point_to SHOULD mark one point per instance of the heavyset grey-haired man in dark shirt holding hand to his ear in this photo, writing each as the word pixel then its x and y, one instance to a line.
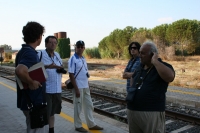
pixel 146 110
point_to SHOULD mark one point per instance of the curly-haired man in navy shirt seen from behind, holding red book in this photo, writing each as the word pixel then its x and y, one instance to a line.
pixel 27 57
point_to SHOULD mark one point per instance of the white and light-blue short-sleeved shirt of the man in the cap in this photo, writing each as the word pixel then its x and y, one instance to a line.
pixel 74 65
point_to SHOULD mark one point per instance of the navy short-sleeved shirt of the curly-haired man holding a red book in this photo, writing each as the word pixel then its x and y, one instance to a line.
pixel 27 56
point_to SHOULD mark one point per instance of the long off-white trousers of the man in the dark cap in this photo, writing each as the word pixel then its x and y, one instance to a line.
pixel 85 101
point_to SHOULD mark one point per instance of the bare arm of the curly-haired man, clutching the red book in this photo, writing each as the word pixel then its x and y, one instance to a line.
pixel 22 72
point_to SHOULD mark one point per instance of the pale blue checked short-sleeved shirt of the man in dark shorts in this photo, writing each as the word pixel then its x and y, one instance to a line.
pixel 53 82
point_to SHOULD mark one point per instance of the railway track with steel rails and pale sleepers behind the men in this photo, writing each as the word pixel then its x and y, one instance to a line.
pixel 112 104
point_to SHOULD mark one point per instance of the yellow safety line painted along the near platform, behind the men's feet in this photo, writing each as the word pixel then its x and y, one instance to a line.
pixel 63 115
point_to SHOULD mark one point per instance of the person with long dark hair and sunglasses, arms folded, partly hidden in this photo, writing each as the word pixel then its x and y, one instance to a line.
pixel 133 50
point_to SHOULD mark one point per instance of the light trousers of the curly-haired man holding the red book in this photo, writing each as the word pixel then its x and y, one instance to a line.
pixel 44 129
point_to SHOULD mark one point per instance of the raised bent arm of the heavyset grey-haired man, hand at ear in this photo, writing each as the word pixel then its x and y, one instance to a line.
pixel 166 73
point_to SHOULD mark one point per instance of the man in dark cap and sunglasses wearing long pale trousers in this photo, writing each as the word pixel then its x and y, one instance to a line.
pixel 78 73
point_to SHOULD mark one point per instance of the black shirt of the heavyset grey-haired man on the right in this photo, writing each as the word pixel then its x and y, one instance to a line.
pixel 151 96
